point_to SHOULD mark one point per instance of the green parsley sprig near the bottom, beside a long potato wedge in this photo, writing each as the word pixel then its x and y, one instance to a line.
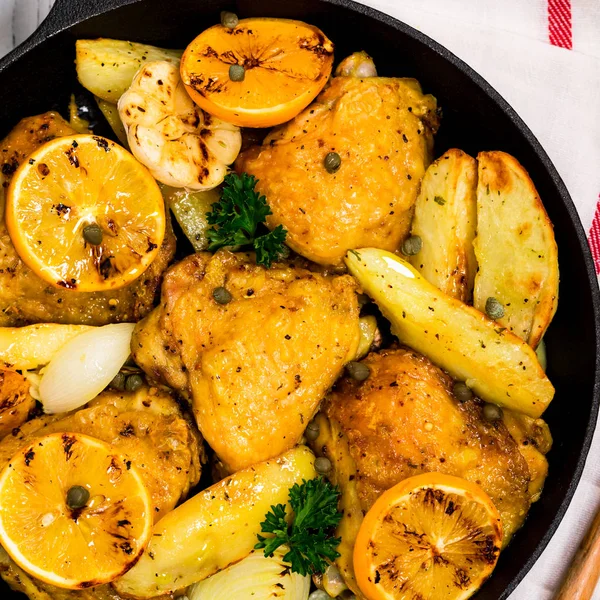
pixel 308 536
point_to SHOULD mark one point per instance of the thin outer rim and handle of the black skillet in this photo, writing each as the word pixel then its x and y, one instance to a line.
pixel 67 13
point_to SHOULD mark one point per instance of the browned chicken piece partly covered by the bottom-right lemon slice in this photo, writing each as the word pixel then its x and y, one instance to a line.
pixel 404 420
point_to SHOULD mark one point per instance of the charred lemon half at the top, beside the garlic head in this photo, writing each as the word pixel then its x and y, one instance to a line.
pixel 261 73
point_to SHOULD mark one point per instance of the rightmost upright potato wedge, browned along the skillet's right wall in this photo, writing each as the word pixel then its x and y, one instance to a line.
pixel 515 248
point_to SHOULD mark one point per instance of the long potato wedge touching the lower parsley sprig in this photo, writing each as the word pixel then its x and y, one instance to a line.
pixel 215 528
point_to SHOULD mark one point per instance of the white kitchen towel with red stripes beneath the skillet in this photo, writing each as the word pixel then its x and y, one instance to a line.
pixel 543 56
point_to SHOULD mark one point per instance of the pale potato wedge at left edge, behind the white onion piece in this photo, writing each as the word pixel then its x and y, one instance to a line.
pixel 33 346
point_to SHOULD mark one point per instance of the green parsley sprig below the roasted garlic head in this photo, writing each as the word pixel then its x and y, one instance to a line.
pixel 238 220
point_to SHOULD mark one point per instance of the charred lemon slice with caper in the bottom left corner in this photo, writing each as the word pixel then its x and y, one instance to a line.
pixel 72 512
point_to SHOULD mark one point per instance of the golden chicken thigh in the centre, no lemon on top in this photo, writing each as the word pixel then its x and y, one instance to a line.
pixel 257 367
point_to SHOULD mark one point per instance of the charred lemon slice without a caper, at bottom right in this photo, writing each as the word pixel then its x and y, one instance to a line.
pixel 431 536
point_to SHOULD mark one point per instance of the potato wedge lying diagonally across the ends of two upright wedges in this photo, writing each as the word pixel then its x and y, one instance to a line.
pixel 495 363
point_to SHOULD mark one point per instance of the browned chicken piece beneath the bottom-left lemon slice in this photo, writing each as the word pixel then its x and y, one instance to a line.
pixel 147 427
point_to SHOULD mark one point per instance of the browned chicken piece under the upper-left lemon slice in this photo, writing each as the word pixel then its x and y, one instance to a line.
pixel 24 297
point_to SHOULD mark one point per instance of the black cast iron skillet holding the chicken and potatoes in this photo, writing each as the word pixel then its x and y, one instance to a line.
pixel 40 75
